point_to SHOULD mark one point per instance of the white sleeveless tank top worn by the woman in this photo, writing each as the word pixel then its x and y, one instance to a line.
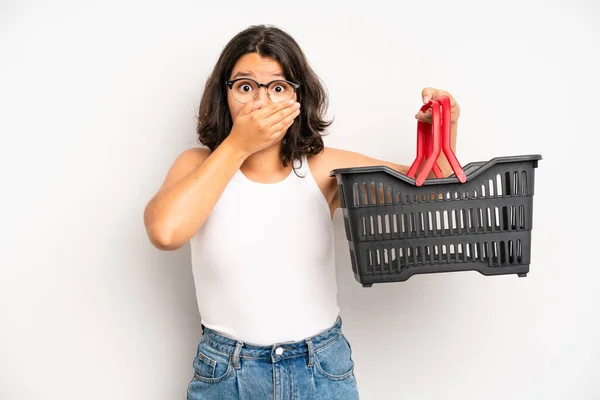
pixel 263 262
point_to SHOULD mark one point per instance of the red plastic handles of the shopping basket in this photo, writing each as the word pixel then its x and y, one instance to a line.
pixel 434 138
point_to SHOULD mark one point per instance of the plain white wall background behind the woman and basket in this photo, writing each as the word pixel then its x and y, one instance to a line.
pixel 98 99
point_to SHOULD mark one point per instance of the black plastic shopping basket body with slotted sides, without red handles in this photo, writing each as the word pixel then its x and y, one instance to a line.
pixel 396 229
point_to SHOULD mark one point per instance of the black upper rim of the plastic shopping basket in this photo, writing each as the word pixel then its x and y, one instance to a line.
pixel 482 167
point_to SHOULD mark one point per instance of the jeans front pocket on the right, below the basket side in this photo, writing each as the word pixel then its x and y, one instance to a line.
pixel 334 360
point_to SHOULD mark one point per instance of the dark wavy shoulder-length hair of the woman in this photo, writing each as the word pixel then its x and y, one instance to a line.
pixel 304 136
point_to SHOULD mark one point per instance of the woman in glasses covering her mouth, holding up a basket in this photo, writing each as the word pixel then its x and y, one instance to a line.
pixel 256 203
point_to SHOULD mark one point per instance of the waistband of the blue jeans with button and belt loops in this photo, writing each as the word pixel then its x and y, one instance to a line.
pixel 277 351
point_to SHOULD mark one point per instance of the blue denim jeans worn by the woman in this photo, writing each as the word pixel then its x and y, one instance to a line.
pixel 320 367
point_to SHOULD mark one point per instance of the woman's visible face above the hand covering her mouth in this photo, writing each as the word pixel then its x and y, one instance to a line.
pixel 262 70
